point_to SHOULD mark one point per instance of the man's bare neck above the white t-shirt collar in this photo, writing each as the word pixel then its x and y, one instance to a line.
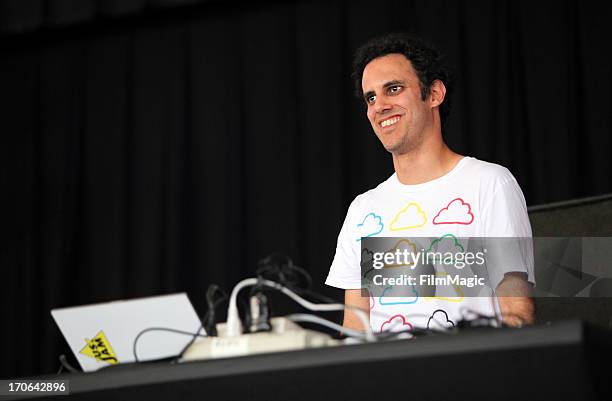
pixel 428 162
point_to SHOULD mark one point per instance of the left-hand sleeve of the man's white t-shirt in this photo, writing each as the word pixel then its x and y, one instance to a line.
pixel 345 270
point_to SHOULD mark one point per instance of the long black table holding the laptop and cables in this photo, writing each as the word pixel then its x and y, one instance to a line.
pixel 560 361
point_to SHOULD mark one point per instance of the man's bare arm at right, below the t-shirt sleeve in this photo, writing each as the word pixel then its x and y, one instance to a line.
pixel 514 294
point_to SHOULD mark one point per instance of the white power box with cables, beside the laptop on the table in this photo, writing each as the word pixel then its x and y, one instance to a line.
pixel 285 336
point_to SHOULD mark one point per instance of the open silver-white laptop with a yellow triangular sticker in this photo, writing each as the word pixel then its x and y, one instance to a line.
pixel 104 334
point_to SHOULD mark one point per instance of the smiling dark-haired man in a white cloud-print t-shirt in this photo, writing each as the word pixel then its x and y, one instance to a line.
pixel 406 89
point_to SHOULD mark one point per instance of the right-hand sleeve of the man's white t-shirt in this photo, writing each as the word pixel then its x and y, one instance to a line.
pixel 507 231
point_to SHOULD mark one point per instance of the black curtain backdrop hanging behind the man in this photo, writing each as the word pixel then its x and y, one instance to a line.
pixel 158 150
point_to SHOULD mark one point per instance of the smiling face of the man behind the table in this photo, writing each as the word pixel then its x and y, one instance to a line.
pixel 393 95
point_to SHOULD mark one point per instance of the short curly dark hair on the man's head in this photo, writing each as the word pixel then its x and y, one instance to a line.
pixel 427 62
